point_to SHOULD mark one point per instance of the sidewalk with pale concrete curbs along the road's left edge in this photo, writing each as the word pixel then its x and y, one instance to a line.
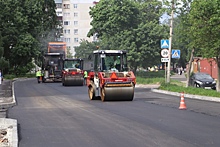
pixel 8 127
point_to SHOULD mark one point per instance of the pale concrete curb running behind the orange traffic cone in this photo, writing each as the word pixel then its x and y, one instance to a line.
pixel 191 96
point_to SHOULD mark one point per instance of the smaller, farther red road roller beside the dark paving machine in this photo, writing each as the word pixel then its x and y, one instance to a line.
pixel 72 74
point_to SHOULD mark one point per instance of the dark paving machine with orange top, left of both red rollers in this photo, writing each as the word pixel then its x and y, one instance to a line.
pixel 53 61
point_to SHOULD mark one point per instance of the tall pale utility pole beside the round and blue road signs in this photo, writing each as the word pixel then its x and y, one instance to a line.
pixel 170 43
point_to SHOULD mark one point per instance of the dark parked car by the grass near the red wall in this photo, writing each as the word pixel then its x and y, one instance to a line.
pixel 202 80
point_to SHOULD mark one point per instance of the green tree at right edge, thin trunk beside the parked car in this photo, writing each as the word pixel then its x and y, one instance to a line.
pixel 204 30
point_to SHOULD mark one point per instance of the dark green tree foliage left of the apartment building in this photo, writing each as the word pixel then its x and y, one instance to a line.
pixel 24 23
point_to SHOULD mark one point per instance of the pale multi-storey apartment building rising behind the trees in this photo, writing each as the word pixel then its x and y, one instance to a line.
pixel 75 18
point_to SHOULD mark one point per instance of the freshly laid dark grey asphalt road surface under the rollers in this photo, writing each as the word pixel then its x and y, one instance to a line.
pixel 50 115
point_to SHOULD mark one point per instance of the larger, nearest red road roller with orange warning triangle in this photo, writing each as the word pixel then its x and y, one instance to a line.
pixel 111 80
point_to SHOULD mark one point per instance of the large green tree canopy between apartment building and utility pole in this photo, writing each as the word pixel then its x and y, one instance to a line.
pixel 130 25
